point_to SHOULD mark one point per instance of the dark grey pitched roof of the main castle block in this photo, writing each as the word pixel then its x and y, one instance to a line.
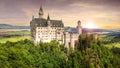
pixel 41 22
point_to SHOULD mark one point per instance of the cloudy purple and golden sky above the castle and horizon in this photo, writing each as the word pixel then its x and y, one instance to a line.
pixel 103 14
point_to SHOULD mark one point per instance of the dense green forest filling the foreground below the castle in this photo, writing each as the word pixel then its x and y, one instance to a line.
pixel 89 53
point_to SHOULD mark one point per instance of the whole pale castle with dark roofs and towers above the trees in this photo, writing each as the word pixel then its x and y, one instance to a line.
pixel 46 30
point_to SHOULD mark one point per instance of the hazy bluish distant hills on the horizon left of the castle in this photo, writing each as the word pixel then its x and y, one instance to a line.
pixel 7 26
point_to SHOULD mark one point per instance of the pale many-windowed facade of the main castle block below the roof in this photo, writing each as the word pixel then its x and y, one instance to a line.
pixel 47 34
